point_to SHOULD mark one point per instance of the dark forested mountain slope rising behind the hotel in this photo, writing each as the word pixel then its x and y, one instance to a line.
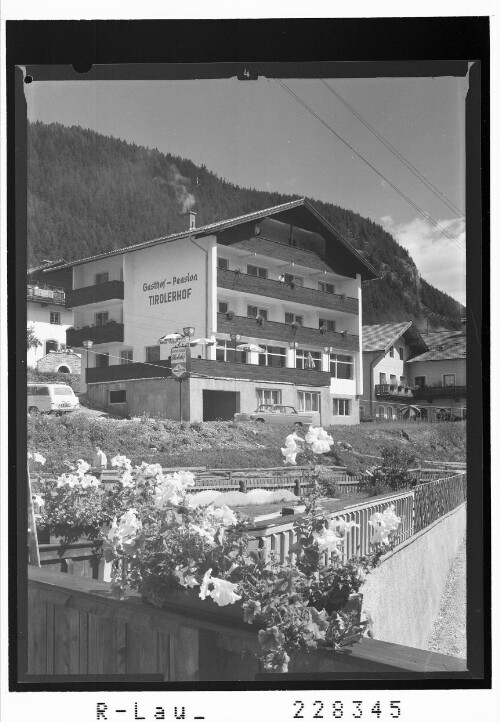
pixel 88 193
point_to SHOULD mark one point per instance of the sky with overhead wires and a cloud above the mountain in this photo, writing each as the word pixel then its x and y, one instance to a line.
pixel 256 135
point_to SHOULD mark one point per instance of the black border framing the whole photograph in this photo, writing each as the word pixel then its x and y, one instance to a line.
pixel 368 47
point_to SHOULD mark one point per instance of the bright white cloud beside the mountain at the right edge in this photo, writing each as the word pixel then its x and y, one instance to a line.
pixel 439 260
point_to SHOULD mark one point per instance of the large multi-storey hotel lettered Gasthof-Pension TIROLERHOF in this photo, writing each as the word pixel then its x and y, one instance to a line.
pixel 282 279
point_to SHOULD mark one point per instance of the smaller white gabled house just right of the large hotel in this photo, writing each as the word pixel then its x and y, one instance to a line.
pixel 387 390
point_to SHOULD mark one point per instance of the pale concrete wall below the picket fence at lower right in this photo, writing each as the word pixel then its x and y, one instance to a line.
pixel 403 595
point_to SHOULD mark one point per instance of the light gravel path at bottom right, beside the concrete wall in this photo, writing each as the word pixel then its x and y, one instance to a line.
pixel 449 633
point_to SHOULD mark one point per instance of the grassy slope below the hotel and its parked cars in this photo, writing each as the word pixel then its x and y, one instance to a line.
pixel 225 444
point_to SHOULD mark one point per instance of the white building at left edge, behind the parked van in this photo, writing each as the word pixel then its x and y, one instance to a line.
pixel 49 318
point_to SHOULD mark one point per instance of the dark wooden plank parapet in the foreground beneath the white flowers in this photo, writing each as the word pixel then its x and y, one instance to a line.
pixel 76 627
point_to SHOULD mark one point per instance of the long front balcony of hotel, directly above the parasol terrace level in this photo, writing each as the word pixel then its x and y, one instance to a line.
pixel 285 332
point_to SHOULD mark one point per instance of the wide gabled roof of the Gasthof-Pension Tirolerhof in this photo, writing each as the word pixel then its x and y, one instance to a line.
pixel 299 211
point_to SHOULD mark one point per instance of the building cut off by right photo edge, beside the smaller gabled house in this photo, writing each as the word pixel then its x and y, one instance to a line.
pixel 439 376
